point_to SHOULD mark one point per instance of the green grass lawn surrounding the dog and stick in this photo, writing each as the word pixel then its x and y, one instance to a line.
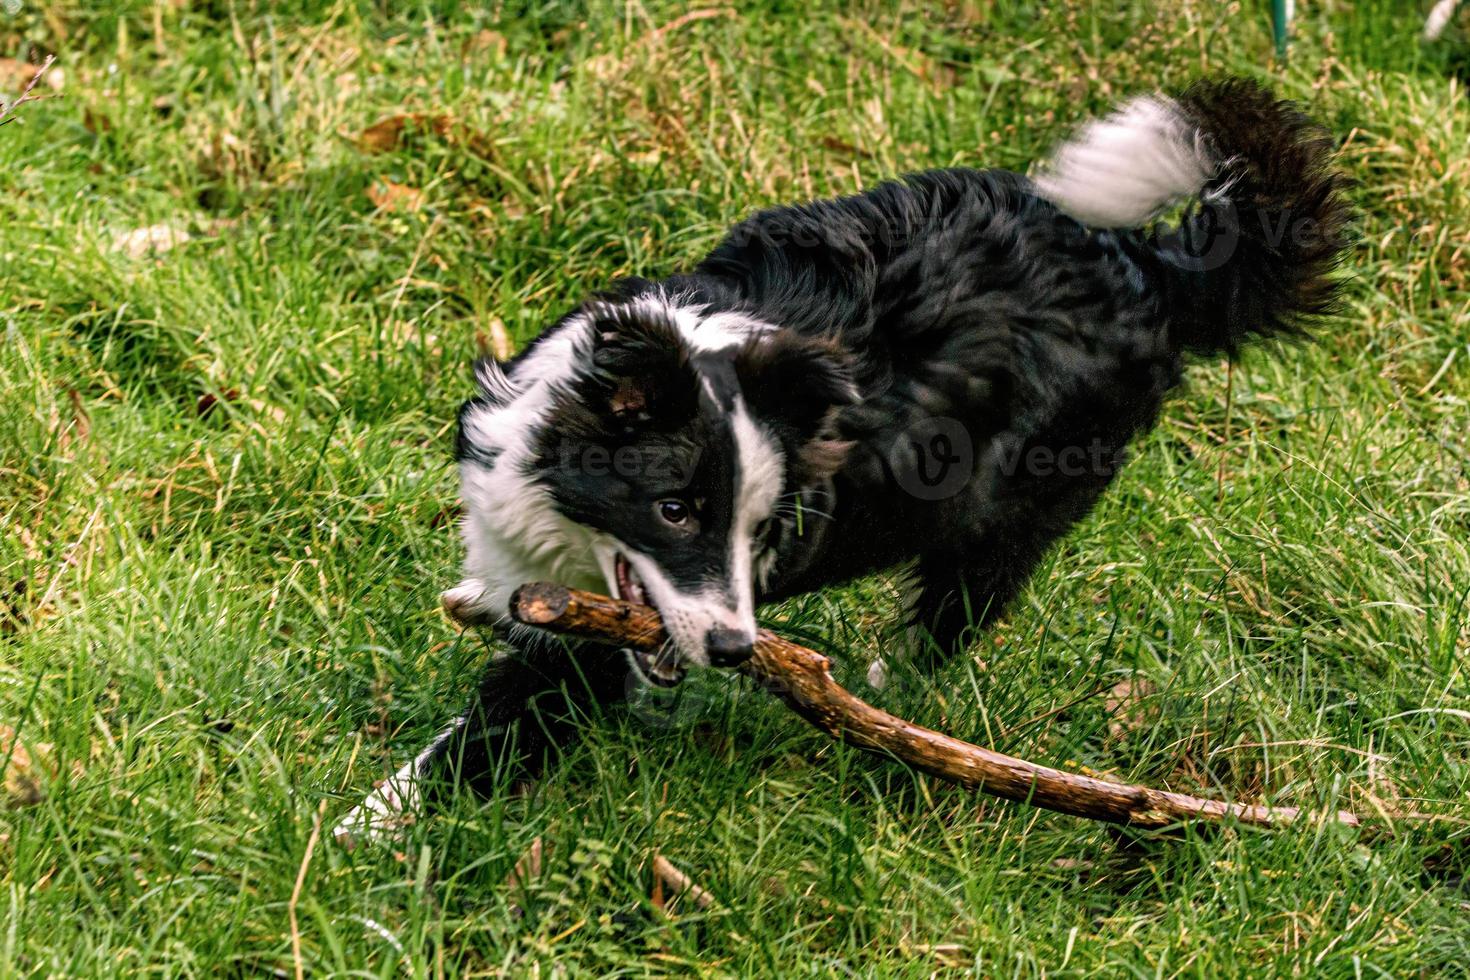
pixel 218 624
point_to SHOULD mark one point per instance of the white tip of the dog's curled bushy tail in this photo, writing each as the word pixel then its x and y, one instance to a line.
pixel 1124 170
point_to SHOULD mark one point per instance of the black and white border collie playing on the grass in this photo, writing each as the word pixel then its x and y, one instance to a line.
pixel 937 377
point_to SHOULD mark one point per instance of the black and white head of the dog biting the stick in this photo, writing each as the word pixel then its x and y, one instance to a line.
pixel 683 442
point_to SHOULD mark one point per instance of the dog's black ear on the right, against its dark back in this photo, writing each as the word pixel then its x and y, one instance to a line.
pixel 796 380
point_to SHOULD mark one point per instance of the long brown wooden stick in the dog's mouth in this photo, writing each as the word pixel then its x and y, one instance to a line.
pixel 803 680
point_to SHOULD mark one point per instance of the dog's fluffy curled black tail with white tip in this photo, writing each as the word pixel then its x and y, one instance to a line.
pixel 1255 255
